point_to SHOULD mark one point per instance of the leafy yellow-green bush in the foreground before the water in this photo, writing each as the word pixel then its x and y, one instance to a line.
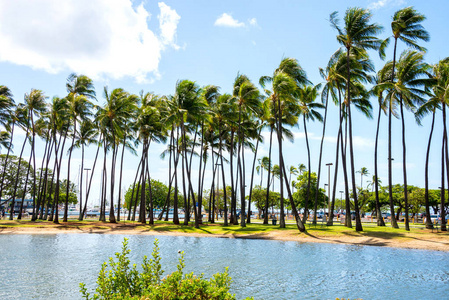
pixel 123 281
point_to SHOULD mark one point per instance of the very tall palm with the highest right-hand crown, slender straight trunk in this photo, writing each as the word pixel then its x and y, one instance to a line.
pixel 406 26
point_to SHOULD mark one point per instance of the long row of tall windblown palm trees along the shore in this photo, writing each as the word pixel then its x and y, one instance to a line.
pixel 216 128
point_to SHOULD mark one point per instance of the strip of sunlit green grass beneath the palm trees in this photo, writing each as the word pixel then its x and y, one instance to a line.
pixel 255 229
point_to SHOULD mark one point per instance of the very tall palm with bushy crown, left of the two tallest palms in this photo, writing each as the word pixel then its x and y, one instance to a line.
pixel 357 35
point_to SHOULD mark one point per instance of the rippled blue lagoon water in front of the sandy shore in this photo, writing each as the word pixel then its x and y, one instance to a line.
pixel 52 266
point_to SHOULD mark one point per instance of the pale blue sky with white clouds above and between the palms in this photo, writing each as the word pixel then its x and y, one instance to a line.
pixel 149 45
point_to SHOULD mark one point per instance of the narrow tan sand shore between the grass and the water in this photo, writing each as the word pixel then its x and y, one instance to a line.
pixel 413 240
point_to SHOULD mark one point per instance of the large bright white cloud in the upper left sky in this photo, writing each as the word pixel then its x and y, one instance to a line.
pixel 103 38
